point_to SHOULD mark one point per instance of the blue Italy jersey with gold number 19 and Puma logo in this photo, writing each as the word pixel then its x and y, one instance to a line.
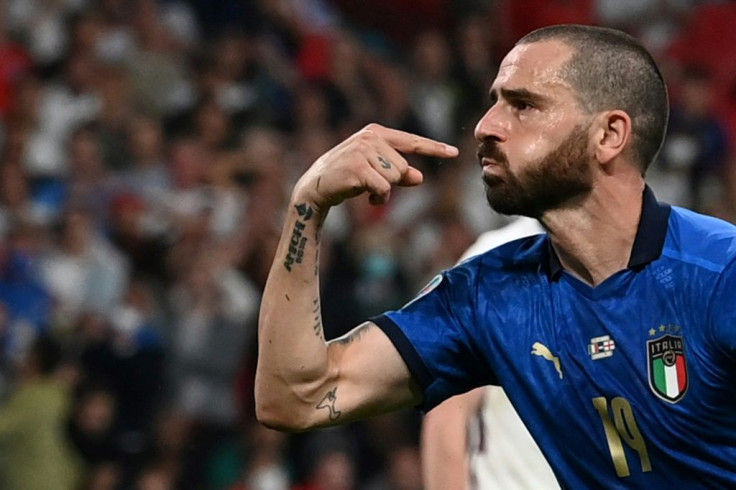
pixel 629 384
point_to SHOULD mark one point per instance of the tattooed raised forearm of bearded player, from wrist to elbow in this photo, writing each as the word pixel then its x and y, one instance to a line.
pixel 292 361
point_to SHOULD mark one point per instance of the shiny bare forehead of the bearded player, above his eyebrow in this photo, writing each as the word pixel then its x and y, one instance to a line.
pixel 535 67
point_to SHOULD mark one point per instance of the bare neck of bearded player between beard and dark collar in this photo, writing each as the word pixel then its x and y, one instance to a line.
pixel 594 240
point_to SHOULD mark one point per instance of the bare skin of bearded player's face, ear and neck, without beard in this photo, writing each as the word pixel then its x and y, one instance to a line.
pixel 527 129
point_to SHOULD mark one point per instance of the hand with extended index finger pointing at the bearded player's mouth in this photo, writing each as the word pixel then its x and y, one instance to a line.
pixel 368 161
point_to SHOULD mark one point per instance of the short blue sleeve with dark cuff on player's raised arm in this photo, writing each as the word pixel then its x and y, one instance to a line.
pixel 434 334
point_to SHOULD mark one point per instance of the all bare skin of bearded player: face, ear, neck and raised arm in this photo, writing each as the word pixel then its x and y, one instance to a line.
pixel 304 382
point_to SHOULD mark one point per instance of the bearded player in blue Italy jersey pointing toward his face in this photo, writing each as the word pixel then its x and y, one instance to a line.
pixel 613 334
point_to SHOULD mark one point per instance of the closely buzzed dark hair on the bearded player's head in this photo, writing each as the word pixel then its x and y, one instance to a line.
pixel 611 70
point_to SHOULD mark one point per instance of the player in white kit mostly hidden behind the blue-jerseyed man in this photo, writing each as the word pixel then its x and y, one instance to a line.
pixel 476 439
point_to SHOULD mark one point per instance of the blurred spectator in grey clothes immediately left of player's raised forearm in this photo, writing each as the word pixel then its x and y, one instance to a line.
pixel 211 303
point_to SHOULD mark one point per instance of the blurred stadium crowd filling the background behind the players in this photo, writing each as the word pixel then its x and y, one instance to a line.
pixel 147 151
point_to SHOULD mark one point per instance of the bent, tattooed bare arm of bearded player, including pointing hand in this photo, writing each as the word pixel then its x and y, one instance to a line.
pixel 301 381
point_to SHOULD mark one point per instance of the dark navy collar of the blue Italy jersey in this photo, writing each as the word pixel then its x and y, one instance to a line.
pixel 649 240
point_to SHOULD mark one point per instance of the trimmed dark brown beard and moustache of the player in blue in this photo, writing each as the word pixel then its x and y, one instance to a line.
pixel 553 182
